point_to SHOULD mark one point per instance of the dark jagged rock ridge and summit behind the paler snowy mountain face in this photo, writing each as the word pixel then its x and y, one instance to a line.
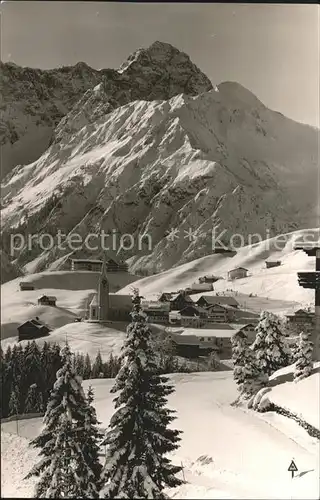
pixel 34 101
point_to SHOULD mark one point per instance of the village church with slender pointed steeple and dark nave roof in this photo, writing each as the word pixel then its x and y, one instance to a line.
pixel 105 306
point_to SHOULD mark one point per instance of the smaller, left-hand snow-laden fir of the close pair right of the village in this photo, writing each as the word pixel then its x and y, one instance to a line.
pixel 246 372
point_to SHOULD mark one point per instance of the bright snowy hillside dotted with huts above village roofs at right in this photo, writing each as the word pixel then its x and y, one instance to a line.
pixel 279 283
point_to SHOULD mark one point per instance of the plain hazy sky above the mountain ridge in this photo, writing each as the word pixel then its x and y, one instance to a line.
pixel 273 50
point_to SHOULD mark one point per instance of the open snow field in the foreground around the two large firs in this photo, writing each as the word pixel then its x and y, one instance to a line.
pixel 226 452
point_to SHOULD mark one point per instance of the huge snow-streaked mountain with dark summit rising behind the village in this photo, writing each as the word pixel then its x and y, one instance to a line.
pixel 154 147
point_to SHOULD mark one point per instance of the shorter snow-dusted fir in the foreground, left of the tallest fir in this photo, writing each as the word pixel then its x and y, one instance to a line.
pixel 64 470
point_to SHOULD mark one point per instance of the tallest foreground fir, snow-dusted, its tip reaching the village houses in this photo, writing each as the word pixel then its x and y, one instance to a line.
pixel 138 438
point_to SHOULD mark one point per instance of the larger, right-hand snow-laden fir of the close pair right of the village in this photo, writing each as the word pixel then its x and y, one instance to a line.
pixel 270 346
